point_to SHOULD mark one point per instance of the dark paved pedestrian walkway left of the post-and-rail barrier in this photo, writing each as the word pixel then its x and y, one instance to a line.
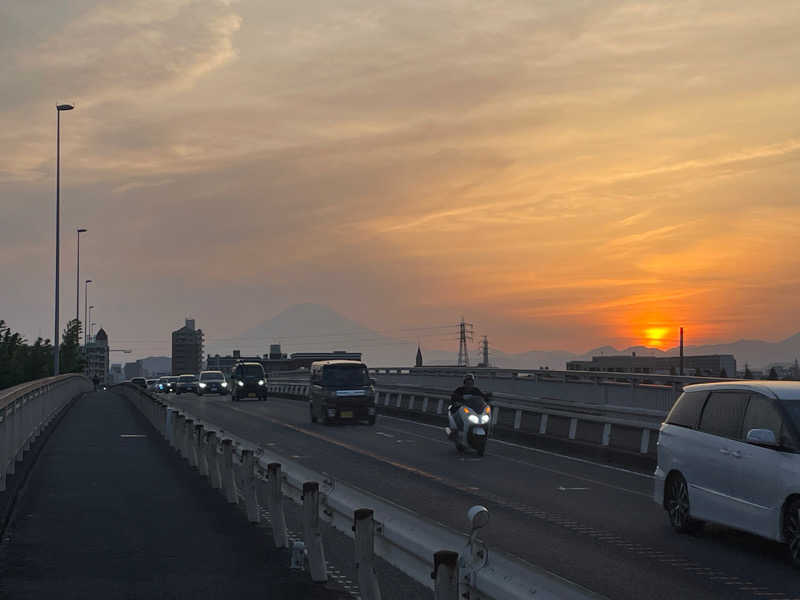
pixel 109 511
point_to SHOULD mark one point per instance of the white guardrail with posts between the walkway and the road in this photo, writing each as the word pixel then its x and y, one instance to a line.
pixel 261 480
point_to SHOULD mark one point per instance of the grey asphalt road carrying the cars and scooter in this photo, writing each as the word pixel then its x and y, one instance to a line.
pixel 593 524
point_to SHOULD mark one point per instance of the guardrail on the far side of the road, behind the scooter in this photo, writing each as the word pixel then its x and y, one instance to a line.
pixel 615 427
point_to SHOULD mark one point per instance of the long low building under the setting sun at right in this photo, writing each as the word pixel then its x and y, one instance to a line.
pixel 708 365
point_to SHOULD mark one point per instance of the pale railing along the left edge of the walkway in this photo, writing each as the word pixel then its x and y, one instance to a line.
pixel 25 412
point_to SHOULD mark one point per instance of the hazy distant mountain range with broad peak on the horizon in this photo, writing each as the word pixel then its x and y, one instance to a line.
pixel 313 327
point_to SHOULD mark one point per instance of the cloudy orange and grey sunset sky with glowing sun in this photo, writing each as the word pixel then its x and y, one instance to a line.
pixel 563 174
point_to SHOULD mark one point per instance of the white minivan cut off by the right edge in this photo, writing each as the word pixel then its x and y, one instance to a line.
pixel 729 453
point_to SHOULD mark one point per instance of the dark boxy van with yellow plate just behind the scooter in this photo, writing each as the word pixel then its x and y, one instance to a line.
pixel 341 390
